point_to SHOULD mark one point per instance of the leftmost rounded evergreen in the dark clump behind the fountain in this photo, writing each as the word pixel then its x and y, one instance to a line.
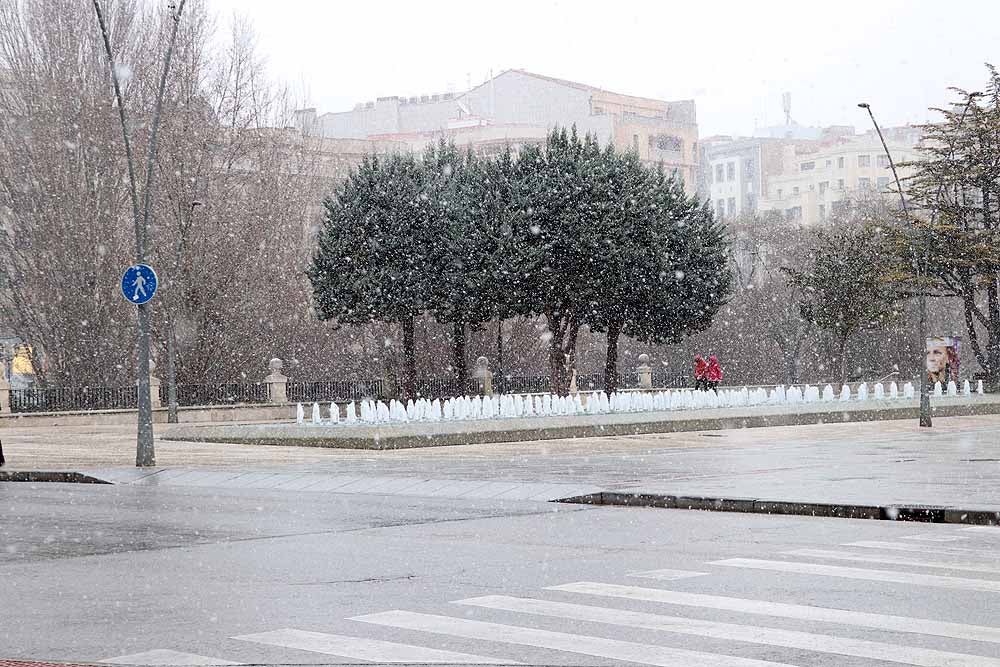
pixel 373 260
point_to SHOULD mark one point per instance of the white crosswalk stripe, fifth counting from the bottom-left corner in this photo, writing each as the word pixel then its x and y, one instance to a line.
pixel 785 610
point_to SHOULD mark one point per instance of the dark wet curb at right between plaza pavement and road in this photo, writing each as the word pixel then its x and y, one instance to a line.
pixel 920 513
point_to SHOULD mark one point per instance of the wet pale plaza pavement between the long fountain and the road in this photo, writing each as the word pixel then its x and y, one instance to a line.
pixel 955 464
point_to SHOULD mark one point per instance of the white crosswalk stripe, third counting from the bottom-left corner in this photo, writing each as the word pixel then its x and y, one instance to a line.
pixel 612 649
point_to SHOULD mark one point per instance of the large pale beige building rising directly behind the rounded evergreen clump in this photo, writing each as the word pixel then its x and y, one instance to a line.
pixel 518 108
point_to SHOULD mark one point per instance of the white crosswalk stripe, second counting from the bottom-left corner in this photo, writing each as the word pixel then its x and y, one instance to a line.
pixel 366 649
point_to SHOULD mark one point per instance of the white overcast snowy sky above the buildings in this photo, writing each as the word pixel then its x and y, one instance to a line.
pixel 734 58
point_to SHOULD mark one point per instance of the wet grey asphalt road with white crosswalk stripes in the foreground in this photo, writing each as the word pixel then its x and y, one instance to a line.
pixel 89 573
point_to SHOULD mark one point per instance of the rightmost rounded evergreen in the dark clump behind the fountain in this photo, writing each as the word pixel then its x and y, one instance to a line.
pixel 664 273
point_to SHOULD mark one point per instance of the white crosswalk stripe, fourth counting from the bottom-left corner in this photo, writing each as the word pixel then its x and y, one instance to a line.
pixel 805 641
